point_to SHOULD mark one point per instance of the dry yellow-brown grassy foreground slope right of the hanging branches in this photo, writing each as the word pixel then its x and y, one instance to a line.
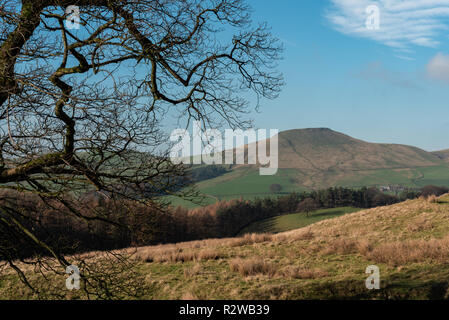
pixel 409 242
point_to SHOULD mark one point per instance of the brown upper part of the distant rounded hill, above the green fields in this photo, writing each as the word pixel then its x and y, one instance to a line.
pixel 324 149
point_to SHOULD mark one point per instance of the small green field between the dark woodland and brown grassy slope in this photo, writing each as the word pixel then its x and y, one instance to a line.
pixel 295 221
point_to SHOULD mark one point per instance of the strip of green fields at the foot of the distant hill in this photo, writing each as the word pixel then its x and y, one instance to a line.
pixel 245 182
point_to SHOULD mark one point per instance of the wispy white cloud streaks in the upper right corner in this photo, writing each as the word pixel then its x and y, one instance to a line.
pixel 402 23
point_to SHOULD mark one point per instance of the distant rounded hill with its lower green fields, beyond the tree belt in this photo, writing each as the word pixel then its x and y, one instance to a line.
pixel 320 158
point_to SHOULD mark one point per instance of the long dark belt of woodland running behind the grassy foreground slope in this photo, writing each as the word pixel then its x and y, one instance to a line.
pixel 138 225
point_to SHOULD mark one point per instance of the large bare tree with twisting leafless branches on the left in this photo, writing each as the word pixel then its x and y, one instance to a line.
pixel 83 109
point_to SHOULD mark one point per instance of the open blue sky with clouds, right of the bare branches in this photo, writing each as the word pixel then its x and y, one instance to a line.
pixel 388 85
